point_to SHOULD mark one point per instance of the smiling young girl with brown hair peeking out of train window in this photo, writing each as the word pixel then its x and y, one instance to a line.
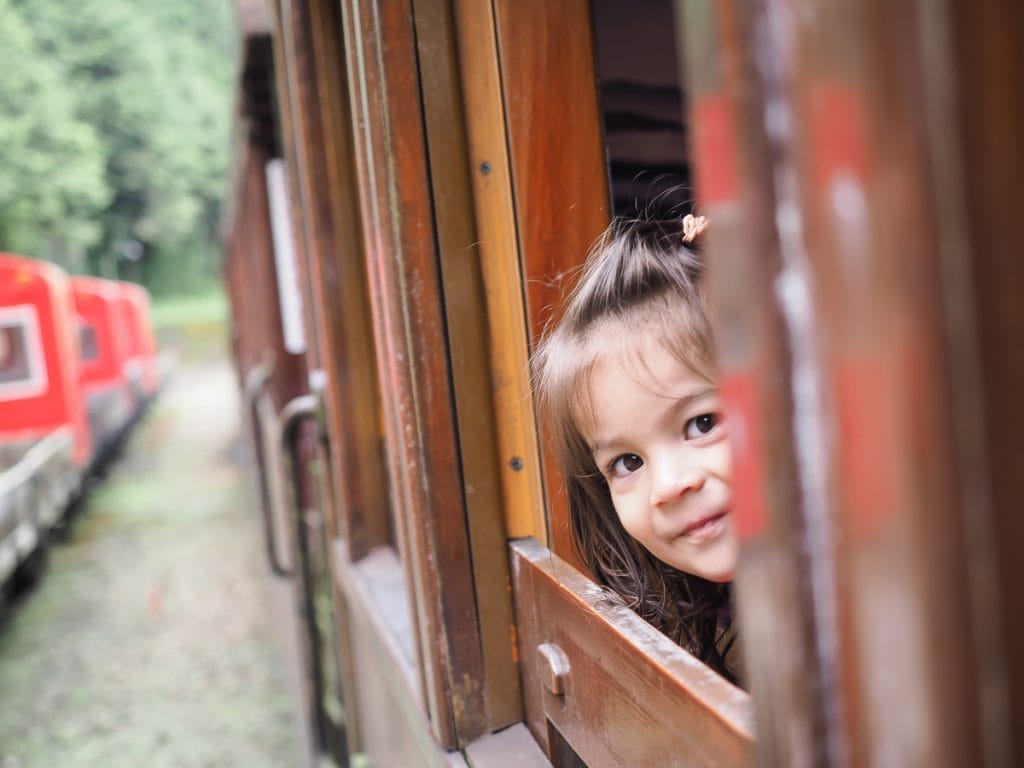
pixel 628 387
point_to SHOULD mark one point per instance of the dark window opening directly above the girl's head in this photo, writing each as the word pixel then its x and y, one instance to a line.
pixel 643 109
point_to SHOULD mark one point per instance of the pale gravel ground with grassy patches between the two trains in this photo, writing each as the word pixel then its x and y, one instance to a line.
pixel 156 637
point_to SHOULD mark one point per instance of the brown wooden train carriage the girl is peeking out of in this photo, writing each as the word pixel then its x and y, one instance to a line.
pixel 418 184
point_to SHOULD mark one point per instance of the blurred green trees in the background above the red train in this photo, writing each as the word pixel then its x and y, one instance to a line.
pixel 141 92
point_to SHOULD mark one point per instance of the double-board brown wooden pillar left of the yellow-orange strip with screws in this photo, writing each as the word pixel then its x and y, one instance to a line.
pixel 451 533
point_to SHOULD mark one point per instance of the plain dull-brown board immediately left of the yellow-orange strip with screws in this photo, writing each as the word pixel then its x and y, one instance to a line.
pixel 489 673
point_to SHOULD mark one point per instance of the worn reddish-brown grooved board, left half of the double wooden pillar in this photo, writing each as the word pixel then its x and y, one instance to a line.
pixel 410 322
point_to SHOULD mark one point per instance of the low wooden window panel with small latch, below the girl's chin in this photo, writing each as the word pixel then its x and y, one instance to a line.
pixel 631 696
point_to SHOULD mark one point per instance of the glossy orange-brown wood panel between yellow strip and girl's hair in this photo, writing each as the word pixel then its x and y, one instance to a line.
pixel 560 178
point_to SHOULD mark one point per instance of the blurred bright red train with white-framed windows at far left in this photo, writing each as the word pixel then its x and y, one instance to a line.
pixel 69 348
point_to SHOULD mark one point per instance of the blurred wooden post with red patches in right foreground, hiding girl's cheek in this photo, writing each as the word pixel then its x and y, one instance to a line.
pixel 864 328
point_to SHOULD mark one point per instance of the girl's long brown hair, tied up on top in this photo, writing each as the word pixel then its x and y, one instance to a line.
pixel 639 273
